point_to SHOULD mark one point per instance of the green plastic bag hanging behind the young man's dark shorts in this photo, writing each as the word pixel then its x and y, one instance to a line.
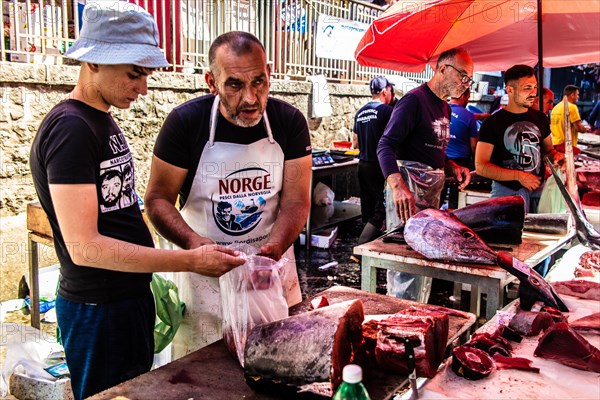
pixel 169 311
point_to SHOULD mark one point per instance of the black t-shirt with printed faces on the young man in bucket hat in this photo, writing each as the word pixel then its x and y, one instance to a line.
pixel 78 144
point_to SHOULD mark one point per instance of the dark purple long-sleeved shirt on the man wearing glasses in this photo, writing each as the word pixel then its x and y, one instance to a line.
pixel 419 130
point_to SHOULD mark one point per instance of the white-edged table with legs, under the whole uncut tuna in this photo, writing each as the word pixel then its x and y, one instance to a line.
pixel 490 279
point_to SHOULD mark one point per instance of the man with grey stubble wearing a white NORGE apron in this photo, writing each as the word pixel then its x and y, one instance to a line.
pixel 241 165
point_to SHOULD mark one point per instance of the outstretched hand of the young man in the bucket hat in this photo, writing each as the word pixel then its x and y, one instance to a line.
pixel 214 260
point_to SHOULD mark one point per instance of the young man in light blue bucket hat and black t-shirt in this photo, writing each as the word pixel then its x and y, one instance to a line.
pixel 104 305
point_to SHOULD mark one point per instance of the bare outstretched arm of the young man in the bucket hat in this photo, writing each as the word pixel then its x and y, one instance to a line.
pixel 88 248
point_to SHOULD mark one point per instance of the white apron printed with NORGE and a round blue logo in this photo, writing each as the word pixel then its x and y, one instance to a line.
pixel 234 198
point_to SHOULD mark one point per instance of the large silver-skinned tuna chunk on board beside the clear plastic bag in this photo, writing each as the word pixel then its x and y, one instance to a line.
pixel 307 350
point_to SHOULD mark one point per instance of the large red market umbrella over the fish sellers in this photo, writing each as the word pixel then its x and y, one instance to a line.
pixel 498 34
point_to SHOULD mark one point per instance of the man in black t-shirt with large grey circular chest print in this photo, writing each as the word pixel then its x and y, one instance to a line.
pixel 514 140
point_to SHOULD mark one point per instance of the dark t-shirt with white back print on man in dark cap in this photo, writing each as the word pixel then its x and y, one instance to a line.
pixel 369 123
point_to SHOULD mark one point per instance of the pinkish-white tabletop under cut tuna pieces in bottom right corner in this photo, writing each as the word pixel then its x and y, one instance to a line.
pixel 553 381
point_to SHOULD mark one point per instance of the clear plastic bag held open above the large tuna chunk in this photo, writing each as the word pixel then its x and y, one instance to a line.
pixel 251 294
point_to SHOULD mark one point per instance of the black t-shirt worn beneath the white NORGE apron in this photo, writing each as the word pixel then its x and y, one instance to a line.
pixel 186 131
